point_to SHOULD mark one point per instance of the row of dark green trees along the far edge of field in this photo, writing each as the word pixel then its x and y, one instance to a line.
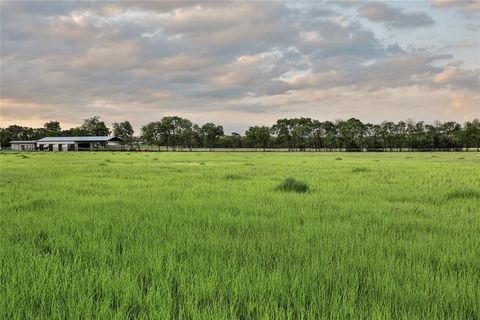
pixel 175 132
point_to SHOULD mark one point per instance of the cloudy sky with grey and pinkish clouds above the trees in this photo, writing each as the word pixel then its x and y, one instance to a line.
pixel 238 64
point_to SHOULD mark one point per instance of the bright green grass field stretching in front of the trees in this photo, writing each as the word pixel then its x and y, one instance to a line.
pixel 211 236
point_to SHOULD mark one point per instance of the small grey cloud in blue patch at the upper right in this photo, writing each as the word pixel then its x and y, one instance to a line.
pixel 393 16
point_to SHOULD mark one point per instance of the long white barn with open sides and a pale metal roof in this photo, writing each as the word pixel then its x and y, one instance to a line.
pixel 76 143
